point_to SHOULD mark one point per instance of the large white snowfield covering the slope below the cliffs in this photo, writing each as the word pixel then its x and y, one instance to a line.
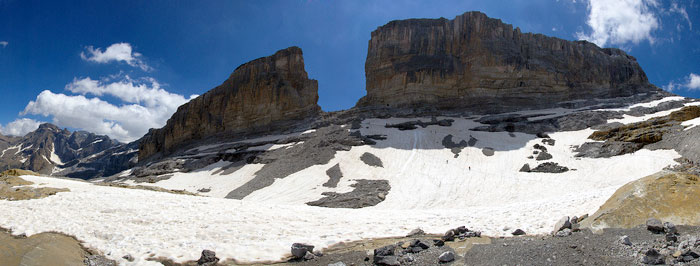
pixel 430 189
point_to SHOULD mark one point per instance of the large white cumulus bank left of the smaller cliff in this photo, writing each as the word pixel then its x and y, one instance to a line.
pixel 146 105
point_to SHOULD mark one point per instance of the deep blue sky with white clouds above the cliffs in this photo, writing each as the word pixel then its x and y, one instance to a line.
pixel 121 67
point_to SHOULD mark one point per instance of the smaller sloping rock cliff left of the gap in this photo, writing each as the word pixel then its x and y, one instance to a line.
pixel 266 94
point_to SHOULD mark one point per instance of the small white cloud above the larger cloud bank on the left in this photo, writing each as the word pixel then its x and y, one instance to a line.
pixel 115 52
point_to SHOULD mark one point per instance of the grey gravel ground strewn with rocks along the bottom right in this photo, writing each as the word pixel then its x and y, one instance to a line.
pixel 580 248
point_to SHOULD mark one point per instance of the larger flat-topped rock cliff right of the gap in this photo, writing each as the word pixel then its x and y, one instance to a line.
pixel 482 64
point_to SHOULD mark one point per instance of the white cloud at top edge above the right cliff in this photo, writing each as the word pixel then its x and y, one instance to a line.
pixel 620 21
